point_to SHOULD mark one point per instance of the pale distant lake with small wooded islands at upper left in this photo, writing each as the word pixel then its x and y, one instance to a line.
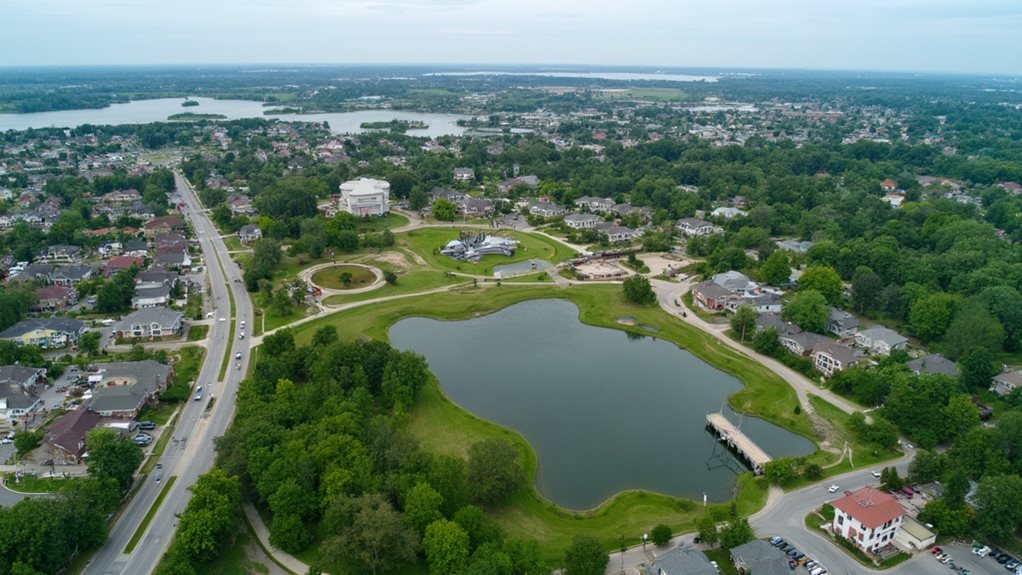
pixel 145 112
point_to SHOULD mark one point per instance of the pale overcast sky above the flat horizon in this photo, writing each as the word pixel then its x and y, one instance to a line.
pixel 970 36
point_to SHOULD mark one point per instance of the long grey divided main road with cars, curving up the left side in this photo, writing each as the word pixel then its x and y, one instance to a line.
pixel 191 454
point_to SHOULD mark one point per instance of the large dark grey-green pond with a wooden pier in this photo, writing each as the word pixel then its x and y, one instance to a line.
pixel 605 411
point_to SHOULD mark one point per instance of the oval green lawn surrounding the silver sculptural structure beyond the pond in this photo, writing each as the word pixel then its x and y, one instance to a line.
pixel 427 243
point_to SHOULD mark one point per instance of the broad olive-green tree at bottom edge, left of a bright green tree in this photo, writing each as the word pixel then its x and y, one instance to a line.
pixel 371 534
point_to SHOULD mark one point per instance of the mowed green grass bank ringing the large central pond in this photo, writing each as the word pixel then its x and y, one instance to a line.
pixel 443 427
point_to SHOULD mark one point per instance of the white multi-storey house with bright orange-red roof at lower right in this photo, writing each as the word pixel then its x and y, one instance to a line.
pixel 868 518
